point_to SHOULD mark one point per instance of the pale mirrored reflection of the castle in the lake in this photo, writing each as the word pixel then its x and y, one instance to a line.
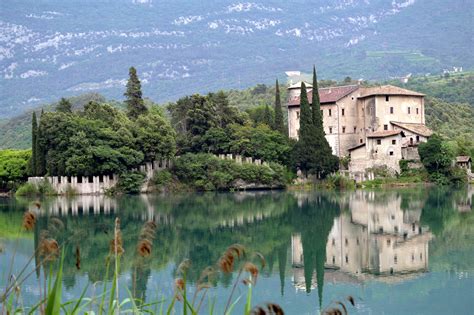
pixel 374 240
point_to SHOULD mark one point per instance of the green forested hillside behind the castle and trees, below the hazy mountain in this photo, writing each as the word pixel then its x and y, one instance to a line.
pixel 449 106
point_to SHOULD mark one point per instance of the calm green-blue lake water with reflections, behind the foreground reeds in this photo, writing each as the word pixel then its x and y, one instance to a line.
pixel 397 251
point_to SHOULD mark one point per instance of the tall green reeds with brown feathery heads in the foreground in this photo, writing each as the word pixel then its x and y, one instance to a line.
pixel 234 259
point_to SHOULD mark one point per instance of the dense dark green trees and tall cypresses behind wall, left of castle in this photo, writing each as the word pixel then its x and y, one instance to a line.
pixel 101 139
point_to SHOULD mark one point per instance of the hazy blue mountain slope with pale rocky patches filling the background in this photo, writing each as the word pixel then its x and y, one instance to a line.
pixel 50 49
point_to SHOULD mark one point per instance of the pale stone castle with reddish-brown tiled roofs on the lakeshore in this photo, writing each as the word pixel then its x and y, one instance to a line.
pixel 376 126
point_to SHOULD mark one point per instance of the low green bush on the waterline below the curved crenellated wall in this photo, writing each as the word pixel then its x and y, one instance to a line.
pixel 208 172
